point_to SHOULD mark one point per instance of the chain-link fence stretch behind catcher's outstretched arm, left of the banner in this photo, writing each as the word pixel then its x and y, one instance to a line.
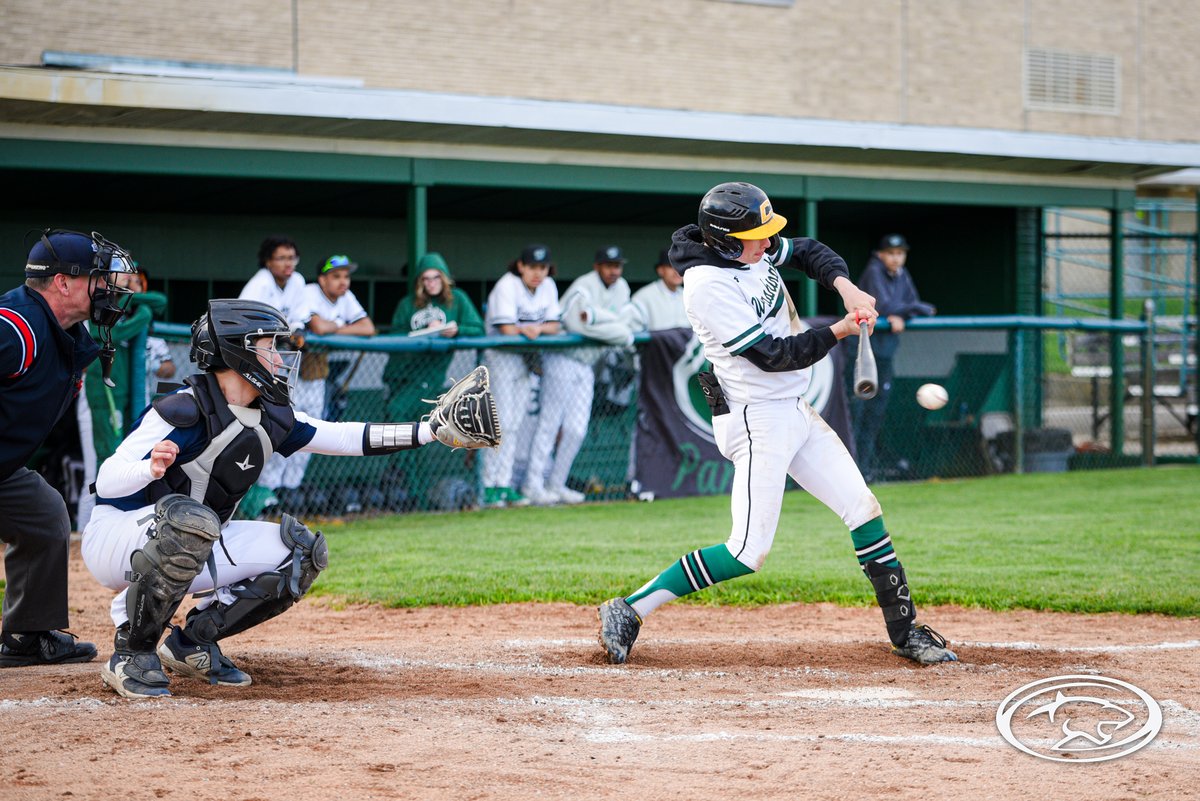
pixel 557 399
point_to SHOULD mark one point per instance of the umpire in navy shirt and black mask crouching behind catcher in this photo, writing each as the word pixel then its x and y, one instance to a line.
pixel 45 348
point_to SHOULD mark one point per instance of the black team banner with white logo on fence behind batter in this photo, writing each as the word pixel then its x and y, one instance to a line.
pixel 676 451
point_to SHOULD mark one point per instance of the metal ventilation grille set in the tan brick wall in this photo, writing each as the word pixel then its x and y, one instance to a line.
pixel 1057 81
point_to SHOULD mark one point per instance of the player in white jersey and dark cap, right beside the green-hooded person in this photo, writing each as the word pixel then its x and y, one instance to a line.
pixel 524 302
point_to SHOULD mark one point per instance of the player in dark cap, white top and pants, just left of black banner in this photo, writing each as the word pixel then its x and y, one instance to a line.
pixel 596 306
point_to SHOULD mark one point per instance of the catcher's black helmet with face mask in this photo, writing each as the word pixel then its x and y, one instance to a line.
pixel 229 338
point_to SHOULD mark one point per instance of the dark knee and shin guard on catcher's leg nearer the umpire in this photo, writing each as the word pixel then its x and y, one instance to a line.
pixel 163 571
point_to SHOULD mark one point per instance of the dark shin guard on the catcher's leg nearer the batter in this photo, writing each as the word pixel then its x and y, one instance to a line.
pixel 267 595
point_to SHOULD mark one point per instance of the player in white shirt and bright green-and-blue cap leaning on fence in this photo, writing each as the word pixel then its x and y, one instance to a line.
pixel 337 311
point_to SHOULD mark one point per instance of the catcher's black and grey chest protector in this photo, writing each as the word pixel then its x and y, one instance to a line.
pixel 237 442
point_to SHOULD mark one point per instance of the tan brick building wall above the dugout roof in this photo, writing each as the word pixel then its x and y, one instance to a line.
pixel 908 62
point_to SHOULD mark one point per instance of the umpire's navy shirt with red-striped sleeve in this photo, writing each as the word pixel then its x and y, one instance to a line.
pixel 41 370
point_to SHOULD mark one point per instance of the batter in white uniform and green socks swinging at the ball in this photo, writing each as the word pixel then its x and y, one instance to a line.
pixel 741 312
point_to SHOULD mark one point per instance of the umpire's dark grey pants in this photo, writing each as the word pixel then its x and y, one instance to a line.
pixel 37 528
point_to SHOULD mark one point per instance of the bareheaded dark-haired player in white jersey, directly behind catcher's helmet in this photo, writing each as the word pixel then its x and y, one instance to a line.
pixel 280 286
